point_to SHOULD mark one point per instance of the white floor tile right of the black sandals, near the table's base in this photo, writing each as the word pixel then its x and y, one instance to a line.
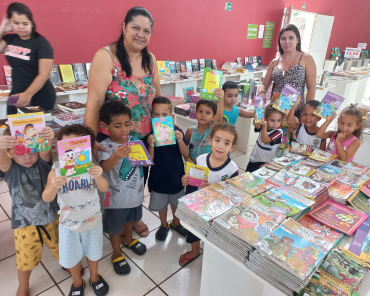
pixel 161 258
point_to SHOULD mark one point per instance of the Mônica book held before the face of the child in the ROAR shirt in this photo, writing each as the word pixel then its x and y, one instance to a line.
pixel 75 156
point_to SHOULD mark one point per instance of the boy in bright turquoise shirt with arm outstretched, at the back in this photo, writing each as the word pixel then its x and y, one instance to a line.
pixel 231 112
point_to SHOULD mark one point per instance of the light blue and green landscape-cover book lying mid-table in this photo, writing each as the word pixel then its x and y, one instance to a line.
pixel 289 205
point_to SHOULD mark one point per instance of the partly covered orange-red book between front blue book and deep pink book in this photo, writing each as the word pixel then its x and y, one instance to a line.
pixel 317 227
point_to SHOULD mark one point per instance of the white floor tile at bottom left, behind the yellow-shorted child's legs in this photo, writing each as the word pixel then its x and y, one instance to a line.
pixel 39 281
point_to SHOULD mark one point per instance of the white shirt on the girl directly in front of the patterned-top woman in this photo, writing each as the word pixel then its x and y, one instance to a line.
pixel 265 152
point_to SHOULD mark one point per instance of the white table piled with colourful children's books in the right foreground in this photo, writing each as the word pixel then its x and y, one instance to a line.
pixel 298 226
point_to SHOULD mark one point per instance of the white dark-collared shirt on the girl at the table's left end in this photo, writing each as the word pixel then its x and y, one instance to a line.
pixel 228 170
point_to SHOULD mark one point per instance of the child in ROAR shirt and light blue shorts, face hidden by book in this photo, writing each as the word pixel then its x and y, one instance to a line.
pixel 80 221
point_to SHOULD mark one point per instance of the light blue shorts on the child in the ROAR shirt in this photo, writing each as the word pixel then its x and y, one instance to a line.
pixel 74 245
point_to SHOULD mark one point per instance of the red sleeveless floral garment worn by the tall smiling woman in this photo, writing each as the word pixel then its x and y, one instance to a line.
pixel 137 93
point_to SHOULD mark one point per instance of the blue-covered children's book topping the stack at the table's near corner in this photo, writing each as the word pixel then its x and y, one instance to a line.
pixel 295 248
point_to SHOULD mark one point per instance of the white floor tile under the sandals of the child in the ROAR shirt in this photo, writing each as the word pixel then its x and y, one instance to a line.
pixel 134 284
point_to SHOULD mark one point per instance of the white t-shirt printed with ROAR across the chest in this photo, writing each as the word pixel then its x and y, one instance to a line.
pixel 79 204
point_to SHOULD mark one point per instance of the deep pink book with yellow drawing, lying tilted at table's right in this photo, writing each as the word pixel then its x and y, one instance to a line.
pixel 337 216
